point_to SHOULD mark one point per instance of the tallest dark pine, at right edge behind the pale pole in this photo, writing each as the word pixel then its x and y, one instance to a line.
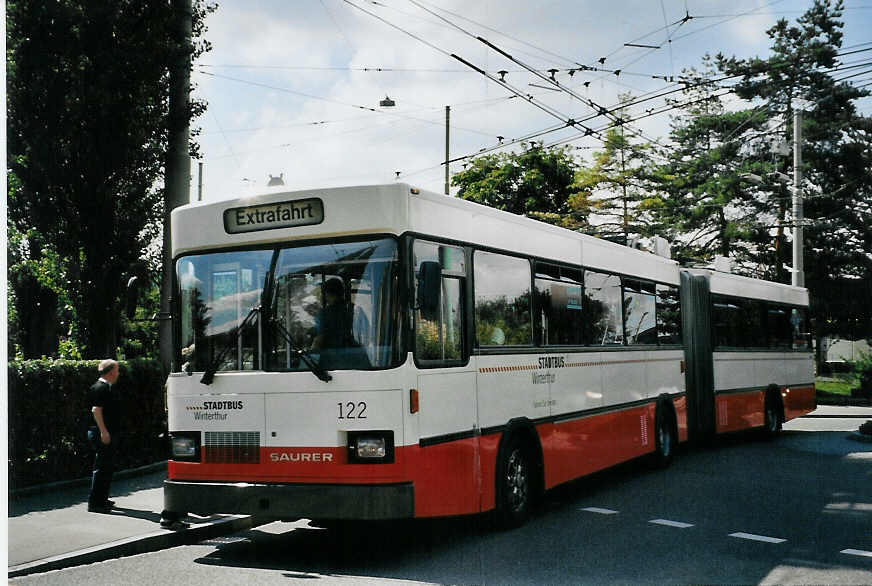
pixel 835 149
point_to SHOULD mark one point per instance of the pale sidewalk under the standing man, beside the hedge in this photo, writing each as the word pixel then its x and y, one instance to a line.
pixel 54 529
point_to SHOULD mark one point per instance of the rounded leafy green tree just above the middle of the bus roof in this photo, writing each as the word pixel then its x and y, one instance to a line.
pixel 537 182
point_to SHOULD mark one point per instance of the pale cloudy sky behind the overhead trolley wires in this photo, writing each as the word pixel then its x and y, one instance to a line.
pixel 294 86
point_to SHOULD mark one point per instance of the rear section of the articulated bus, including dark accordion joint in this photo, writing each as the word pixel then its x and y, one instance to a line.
pixel 749 354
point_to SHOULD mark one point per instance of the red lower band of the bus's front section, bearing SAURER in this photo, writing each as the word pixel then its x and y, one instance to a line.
pixel 458 477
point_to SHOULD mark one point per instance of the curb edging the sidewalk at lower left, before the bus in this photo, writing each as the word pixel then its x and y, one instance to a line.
pixel 146 543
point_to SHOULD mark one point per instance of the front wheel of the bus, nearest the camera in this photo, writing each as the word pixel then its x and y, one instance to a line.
pixel 515 484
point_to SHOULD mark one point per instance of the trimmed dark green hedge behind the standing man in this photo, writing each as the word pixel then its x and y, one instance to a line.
pixel 49 417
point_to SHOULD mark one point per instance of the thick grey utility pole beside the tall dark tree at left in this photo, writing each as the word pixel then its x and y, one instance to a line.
pixel 178 166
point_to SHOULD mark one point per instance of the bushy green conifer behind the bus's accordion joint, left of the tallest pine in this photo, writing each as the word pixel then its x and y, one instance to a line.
pixel 704 207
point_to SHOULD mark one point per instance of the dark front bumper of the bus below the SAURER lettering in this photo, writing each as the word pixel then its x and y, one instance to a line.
pixel 364 502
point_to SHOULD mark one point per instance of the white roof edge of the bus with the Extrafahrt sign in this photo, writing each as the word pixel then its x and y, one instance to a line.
pixel 398 208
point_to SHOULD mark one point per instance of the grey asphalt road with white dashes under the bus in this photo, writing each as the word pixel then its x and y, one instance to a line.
pixel 794 510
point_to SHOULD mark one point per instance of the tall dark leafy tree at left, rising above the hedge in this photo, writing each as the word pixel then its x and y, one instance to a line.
pixel 87 90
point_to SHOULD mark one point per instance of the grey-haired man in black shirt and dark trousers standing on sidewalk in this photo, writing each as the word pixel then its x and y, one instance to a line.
pixel 105 409
